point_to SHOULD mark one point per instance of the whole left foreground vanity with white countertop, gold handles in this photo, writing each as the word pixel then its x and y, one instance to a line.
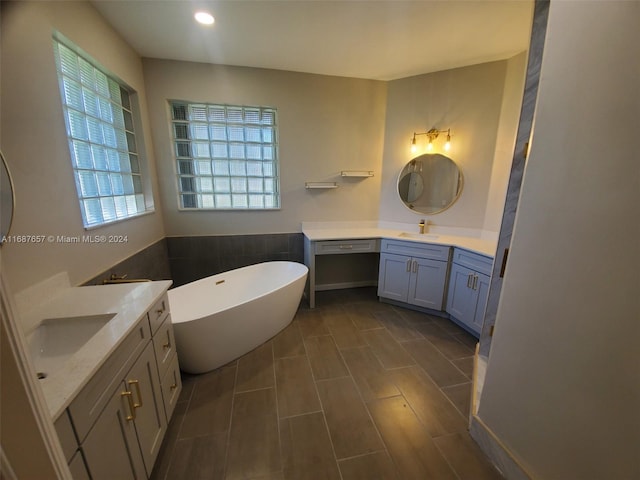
pixel 112 398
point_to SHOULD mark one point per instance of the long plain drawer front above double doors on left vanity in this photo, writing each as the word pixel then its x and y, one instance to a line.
pixel 91 400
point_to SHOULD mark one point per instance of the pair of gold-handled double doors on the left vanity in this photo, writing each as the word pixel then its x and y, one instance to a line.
pixel 125 440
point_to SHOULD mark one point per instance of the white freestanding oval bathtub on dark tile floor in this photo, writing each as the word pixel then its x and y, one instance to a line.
pixel 219 318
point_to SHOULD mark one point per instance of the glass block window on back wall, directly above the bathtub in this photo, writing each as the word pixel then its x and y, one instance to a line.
pixel 227 156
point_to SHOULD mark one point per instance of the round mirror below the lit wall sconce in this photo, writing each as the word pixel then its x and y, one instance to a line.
pixel 430 183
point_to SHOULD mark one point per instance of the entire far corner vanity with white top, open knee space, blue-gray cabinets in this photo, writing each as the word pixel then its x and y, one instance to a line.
pixel 442 274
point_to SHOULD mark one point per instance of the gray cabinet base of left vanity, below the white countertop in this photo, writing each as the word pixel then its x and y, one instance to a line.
pixel 120 416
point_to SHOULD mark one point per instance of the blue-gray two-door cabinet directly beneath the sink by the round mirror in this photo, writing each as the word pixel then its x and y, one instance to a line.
pixel 413 273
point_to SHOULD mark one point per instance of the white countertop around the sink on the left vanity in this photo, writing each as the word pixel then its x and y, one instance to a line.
pixel 129 301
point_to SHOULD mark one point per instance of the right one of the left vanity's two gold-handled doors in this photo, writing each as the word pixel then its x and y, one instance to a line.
pixel 150 420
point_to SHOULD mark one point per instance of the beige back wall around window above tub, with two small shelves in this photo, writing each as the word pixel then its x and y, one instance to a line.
pixel 326 125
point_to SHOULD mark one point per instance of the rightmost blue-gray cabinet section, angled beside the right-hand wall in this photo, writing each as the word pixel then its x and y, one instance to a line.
pixel 469 289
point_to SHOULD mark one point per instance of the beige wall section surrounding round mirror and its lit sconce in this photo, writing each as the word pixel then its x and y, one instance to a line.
pixel 471 101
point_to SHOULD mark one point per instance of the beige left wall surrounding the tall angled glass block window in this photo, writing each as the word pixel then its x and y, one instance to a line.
pixel 34 143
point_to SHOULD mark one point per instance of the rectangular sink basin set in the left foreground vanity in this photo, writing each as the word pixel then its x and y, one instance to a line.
pixel 55 340
